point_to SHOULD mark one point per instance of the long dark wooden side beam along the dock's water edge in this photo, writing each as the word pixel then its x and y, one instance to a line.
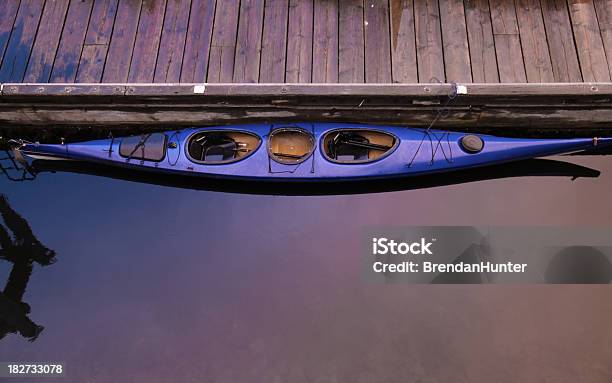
pixel 476 106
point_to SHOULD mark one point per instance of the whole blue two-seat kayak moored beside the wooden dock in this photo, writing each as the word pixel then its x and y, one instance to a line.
pixel 307 152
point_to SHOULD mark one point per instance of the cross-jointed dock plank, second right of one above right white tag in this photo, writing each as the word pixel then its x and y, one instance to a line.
pixel 507 41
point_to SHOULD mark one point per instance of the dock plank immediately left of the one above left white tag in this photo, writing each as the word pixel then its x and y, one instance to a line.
pixel 172 44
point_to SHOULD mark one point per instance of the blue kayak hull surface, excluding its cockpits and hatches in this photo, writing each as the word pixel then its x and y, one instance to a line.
pixel 413 152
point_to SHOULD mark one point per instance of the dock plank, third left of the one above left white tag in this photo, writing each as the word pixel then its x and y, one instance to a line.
pixel 119 55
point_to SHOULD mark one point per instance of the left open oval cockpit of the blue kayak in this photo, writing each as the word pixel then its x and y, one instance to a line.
pixel 221 147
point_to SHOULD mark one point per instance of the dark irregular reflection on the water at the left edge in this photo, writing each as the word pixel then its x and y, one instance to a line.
pixel 21 248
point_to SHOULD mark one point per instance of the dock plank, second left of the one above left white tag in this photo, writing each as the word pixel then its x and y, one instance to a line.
pixel 146 47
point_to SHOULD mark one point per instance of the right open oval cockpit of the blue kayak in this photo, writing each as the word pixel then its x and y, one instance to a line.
pixel 358 145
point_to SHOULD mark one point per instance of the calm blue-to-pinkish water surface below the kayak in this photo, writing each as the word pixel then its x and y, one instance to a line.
pixel 159 284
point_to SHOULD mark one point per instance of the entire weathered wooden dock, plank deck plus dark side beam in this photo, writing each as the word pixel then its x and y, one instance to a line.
pixel 395 61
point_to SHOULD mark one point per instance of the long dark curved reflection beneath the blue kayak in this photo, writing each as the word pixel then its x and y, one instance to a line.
pixel 526 168
